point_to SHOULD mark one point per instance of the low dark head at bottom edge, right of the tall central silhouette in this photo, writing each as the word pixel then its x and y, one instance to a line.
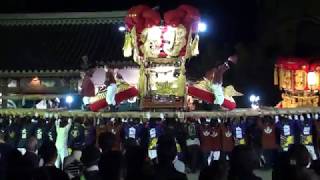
pixel 218 170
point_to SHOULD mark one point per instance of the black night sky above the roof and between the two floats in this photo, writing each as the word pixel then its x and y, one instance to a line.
pixel 259 31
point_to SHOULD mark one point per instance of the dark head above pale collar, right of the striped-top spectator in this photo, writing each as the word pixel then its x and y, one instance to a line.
pixel 90 156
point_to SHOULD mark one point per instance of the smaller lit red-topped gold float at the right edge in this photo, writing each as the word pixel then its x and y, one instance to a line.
pixel 296 77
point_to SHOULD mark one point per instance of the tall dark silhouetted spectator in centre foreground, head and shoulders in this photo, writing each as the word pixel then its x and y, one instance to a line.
pixel 167 153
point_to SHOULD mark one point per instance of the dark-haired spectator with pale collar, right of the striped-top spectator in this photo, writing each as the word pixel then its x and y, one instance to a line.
pixel 90 159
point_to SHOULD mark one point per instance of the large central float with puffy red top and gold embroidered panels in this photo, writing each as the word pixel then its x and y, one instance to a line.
pixel 161 47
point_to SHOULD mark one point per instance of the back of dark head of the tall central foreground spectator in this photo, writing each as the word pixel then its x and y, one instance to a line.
pixel 166 149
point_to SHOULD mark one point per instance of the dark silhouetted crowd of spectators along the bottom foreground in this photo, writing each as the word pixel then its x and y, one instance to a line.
pixel 102 161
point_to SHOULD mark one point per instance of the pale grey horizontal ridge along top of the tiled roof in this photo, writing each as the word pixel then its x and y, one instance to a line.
pixel 112 17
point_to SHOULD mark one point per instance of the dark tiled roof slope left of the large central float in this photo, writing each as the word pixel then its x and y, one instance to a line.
pixel 59 46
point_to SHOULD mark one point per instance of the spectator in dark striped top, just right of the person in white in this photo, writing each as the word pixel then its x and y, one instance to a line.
pixel 72 164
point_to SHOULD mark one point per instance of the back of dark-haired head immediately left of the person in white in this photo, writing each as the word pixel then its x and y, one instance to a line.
pixel 48 152
